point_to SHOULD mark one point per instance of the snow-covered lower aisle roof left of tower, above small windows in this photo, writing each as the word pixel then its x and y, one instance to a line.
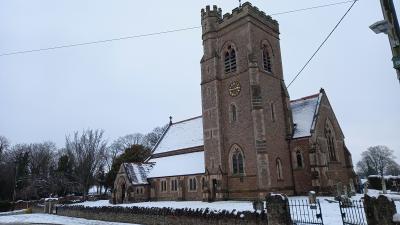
pixel 175 165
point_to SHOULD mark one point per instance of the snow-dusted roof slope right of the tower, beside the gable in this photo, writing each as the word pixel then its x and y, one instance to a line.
pixel 304 114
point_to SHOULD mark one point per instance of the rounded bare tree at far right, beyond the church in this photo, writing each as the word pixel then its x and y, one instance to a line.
pixel 377 159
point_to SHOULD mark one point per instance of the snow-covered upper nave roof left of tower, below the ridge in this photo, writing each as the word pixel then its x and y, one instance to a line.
pixel 180 135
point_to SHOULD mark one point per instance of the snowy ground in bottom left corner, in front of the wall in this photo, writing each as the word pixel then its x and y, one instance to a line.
pixel 51 219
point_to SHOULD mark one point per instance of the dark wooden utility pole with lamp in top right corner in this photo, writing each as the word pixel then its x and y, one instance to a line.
pixel 390 26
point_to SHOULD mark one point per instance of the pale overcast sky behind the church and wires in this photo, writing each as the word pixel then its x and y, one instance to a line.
pixel 135 85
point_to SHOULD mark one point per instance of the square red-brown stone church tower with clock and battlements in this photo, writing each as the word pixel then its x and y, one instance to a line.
pixel 245 105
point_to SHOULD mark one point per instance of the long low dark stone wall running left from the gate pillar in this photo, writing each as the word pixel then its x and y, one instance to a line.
pixel 164 216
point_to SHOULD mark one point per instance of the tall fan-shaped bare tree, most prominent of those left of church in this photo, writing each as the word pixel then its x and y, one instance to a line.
pixel 87 152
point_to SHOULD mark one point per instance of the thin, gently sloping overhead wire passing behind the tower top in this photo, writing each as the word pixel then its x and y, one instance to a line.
pixel 155 33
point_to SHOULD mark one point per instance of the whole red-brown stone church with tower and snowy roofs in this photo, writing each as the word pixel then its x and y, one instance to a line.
pixel 251 138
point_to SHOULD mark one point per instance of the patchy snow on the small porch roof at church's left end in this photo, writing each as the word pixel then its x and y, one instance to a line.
pixel 137 173
